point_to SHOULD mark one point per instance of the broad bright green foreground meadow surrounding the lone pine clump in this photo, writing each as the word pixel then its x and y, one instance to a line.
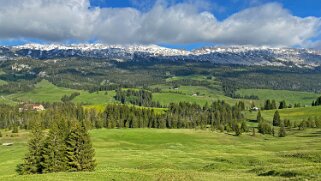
pixel 149 154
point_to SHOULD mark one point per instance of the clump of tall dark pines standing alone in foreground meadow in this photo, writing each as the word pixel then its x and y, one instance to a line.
pixel 66 147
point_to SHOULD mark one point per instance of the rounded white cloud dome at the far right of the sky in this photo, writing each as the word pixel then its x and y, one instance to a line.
pixel 267 25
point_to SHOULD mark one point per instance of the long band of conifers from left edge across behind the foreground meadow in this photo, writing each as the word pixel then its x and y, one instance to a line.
pixel 218 115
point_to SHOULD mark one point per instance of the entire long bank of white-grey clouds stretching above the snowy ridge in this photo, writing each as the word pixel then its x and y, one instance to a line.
pixel 189 22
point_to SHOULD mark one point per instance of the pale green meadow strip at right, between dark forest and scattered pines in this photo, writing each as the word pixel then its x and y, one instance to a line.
pixel 291 97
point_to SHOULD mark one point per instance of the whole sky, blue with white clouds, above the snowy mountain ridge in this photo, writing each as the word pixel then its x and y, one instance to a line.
pixel 184 24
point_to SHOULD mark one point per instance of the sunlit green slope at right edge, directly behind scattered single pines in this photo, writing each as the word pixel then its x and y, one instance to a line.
pixel 293 114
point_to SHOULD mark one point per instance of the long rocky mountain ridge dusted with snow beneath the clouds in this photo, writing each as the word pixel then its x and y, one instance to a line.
pixel 240 55
